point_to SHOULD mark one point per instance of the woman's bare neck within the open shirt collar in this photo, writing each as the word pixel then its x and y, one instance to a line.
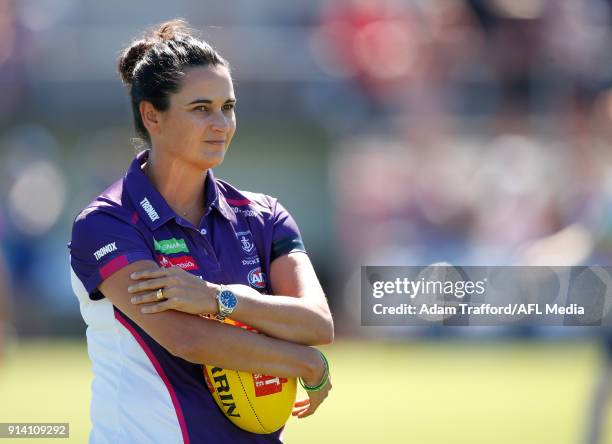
pixel 181 184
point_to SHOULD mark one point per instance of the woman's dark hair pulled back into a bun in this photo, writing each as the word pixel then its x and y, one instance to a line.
pixel 153 67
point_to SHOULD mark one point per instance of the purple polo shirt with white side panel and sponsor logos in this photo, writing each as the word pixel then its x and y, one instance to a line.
pixel 239 236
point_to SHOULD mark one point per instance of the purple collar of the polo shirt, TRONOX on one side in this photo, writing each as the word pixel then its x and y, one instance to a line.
pixel 151 205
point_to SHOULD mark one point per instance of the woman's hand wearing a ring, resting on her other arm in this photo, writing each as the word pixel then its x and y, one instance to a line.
pixel 182 291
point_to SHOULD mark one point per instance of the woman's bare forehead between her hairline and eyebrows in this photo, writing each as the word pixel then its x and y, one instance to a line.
pixel 212 83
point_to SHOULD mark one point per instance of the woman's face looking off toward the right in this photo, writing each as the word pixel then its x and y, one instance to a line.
pixel 200 122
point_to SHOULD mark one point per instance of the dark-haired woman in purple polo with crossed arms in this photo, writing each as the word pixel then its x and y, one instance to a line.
pixel 168 243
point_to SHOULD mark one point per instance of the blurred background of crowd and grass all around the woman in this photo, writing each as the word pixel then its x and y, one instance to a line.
pixel 476 132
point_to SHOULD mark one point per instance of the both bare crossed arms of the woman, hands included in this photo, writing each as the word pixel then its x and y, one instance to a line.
pixel 299 317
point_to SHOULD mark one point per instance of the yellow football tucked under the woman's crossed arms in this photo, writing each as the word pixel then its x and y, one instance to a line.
pixel 254 402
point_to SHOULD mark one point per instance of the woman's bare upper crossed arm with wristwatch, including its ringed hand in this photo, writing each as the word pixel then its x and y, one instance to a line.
pixel 301 315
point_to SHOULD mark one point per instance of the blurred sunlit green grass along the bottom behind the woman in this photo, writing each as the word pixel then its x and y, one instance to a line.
pixel 383 392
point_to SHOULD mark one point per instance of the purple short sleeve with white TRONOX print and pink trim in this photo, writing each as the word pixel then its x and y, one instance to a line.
pixel 101 245
